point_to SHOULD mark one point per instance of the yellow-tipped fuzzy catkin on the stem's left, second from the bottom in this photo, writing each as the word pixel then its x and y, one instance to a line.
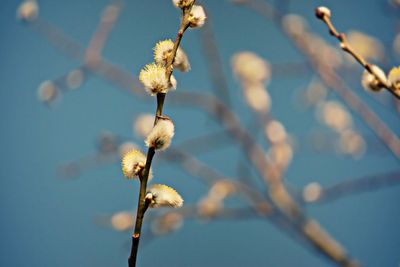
pixel 133 163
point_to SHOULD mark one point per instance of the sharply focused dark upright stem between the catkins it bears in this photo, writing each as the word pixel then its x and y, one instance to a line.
pixel 142 203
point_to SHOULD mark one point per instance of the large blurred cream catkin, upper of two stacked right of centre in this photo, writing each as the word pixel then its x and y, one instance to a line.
pixel 251 68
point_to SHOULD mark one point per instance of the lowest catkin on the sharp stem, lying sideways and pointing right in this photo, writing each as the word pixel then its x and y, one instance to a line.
pixel 161 195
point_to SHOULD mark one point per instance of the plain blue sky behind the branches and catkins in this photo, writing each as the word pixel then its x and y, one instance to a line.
pixel 49 221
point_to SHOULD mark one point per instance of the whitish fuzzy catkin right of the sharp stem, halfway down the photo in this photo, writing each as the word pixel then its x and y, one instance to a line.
pixel 161 135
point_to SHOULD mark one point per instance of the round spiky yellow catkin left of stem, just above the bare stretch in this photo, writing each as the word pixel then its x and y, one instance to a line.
pixel 154 79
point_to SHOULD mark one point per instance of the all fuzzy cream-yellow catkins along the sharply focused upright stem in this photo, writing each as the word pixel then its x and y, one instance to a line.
pixel 157 78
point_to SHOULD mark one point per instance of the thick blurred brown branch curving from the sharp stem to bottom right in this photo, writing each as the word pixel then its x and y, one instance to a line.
pixel 278 192
